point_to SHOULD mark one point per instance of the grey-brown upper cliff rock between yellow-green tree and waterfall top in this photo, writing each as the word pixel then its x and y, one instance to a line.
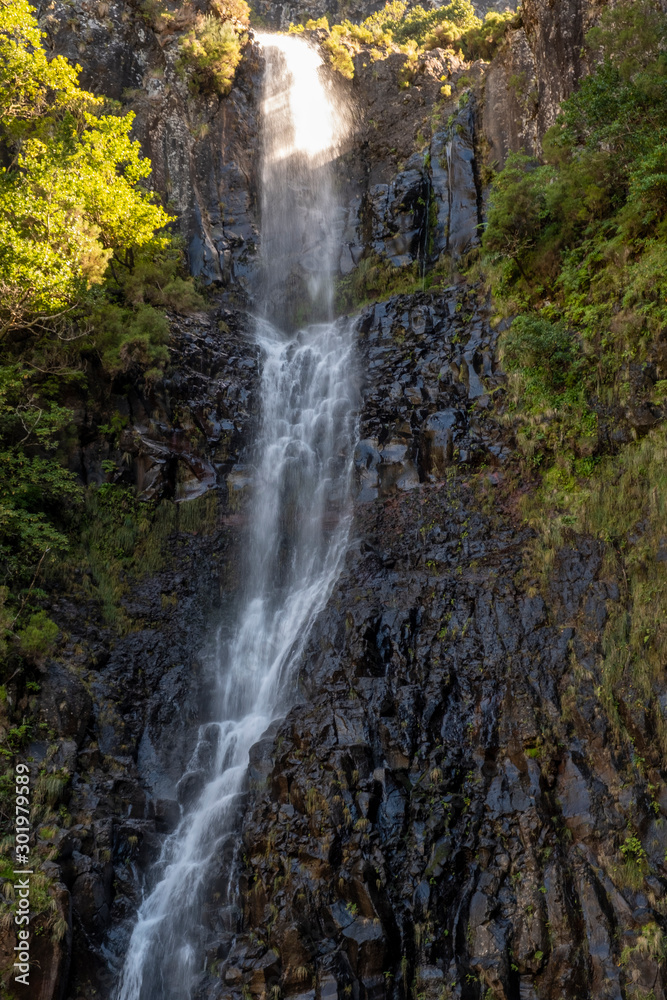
pixel 202 149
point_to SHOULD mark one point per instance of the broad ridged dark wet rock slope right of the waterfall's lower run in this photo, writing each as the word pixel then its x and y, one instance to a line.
pixel 445 801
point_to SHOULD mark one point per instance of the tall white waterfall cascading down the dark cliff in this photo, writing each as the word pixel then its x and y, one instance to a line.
pixel 299 522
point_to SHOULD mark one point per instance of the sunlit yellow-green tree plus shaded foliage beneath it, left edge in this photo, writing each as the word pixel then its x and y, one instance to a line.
pixel 86 267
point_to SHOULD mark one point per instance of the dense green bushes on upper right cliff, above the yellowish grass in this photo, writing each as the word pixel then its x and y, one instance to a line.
pixel 578 242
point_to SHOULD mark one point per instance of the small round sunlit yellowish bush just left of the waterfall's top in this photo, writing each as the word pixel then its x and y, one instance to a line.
pixel 209 55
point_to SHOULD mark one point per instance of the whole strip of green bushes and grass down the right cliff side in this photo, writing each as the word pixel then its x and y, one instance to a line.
pixel 576 252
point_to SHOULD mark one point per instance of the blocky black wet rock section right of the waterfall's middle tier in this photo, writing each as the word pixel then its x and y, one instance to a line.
pixel 416 419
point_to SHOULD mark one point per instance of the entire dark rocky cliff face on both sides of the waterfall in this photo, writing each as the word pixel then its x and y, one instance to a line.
pixel 442 813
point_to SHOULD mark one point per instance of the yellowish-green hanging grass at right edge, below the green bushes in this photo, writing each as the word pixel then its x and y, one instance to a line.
pixel 622 503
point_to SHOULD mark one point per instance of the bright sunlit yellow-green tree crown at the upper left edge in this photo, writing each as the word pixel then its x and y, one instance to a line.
pixel 70 189
